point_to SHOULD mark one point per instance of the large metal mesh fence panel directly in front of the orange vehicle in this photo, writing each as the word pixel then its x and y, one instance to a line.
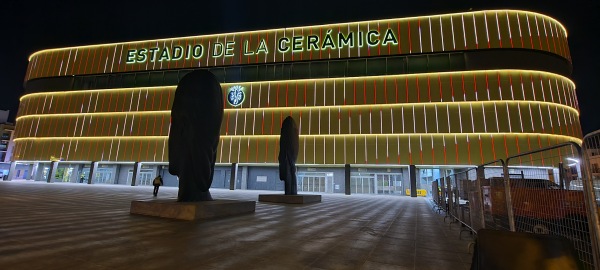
pixel 539 186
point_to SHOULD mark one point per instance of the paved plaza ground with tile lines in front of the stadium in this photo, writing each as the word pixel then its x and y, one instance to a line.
pixel 79 226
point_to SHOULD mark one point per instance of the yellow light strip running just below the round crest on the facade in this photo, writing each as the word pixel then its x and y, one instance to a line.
pixel 306 108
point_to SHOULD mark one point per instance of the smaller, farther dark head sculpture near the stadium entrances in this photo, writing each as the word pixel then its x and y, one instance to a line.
pixel 288 153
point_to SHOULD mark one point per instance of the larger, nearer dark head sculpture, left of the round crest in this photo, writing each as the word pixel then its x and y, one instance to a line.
pixel 196 117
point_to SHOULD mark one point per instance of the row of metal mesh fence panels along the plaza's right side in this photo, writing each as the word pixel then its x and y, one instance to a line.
pixel 554 190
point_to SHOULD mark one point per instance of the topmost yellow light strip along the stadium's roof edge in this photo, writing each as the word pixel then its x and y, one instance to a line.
pixel 302 27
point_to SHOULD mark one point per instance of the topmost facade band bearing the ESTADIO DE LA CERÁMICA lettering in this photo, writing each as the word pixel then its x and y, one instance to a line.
pixel 345 40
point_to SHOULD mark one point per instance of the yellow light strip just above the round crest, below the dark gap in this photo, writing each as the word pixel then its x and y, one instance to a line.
pixel 225 85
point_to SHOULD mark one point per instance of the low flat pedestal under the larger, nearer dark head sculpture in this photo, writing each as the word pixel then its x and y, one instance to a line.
pixel 191 210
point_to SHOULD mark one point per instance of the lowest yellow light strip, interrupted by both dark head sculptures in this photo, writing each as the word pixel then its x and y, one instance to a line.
pixel 564 137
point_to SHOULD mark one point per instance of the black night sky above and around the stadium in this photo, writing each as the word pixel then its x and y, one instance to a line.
pixel 28 26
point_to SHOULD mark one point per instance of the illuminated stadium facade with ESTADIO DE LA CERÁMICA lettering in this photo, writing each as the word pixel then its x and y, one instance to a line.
pixel 441 92
